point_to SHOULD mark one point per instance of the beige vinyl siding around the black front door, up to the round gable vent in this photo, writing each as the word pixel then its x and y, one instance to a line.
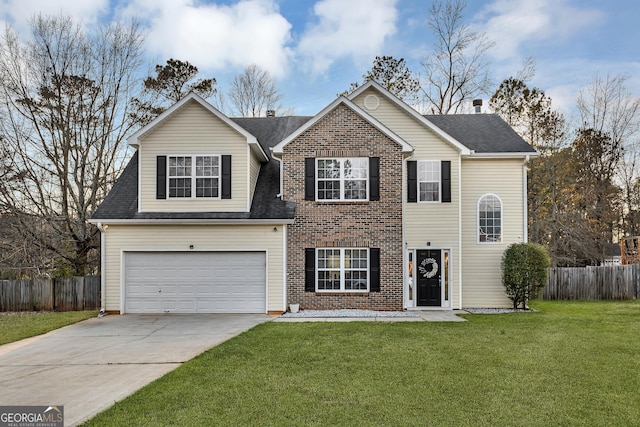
pixel 436 223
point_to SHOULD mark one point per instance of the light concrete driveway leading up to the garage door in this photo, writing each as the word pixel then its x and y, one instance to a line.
pixel 90 365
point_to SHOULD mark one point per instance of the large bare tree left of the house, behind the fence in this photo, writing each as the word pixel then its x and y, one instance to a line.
pixel 64 114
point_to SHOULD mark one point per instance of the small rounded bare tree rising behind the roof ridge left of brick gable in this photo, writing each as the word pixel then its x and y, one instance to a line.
pixel 254 92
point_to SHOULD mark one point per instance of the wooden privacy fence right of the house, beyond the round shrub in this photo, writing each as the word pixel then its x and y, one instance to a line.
pixel 593 283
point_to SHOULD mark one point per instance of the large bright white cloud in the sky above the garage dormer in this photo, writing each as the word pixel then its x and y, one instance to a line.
pixel 214 36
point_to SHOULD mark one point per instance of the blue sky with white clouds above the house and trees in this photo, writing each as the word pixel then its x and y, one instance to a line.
pixel 314 49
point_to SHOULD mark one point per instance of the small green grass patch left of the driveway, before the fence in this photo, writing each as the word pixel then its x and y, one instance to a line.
pixel 17 326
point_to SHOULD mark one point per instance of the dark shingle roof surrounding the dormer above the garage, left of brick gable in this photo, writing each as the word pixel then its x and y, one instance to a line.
pixel 121 204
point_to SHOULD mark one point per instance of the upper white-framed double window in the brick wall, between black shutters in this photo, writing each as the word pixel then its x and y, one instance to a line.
pixel 342 179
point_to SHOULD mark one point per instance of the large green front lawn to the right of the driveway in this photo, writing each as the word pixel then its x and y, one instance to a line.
pixel 570 364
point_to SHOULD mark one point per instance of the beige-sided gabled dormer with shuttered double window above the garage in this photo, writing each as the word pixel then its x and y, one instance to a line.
pixel 192 158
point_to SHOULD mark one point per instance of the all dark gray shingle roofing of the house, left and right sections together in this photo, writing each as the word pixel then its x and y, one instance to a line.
pixel 484 133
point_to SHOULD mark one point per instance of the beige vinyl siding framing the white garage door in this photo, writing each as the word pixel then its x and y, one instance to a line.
pixel 120 238
